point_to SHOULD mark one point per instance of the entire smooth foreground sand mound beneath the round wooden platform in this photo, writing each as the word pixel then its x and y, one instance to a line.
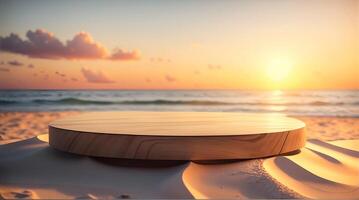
pixel 31 169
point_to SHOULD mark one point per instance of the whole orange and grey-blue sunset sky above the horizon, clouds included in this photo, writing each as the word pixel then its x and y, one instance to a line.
pixel 179 44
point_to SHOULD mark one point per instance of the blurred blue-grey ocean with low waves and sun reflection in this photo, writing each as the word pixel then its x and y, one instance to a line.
pixel 303 103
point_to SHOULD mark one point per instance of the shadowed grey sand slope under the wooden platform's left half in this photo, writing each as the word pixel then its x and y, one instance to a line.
pixel 48 173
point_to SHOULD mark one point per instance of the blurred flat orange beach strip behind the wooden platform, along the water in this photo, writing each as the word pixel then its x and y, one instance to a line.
pixel 21 125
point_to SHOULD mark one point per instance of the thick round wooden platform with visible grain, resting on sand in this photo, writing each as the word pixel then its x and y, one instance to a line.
pixel 177 135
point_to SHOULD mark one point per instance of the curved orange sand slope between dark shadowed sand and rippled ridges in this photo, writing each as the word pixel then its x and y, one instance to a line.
pixel 241 179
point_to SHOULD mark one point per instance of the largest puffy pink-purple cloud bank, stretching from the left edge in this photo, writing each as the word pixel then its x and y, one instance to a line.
pixel 43 44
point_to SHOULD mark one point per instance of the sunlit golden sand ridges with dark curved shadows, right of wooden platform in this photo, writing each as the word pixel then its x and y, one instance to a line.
pixel 321 170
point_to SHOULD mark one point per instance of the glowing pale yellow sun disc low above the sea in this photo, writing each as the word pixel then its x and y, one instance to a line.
pixel 278 70
